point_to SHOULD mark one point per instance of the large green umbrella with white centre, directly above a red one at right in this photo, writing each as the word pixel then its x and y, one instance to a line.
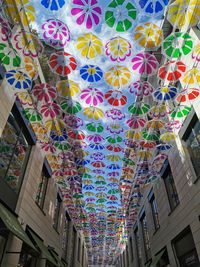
pixel 177 44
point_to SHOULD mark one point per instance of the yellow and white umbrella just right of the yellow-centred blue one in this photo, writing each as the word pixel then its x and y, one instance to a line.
pixel 118 76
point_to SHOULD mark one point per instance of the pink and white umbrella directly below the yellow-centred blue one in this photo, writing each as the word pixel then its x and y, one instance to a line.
pixel 92 96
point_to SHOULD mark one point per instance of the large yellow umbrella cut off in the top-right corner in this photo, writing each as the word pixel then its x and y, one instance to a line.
pixel 184 13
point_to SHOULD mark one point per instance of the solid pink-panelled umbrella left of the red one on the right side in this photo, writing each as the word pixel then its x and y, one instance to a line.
pixel 146 64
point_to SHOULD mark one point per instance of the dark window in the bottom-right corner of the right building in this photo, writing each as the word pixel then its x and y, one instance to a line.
pixel 185 249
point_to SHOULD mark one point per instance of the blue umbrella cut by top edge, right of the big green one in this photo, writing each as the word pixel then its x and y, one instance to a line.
pixel 153 7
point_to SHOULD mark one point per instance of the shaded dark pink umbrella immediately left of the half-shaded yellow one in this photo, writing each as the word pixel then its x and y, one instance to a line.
pixel 44 92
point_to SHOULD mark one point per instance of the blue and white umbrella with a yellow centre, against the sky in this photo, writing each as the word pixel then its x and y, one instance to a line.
pixel 91 73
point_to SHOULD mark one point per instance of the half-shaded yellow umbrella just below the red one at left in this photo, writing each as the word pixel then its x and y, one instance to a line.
pixel 67 88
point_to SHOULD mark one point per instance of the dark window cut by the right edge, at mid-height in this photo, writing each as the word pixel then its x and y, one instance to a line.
pixel 192 141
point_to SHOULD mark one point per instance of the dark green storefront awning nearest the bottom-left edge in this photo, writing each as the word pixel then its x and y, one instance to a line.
pixel 11 222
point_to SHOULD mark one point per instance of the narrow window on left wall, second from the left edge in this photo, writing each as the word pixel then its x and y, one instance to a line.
pixel 42 189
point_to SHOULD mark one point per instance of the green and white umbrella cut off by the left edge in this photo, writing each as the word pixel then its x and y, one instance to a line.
pixel 9 56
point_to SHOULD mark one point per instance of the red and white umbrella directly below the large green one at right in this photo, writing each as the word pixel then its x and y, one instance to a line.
pixel 172 70
